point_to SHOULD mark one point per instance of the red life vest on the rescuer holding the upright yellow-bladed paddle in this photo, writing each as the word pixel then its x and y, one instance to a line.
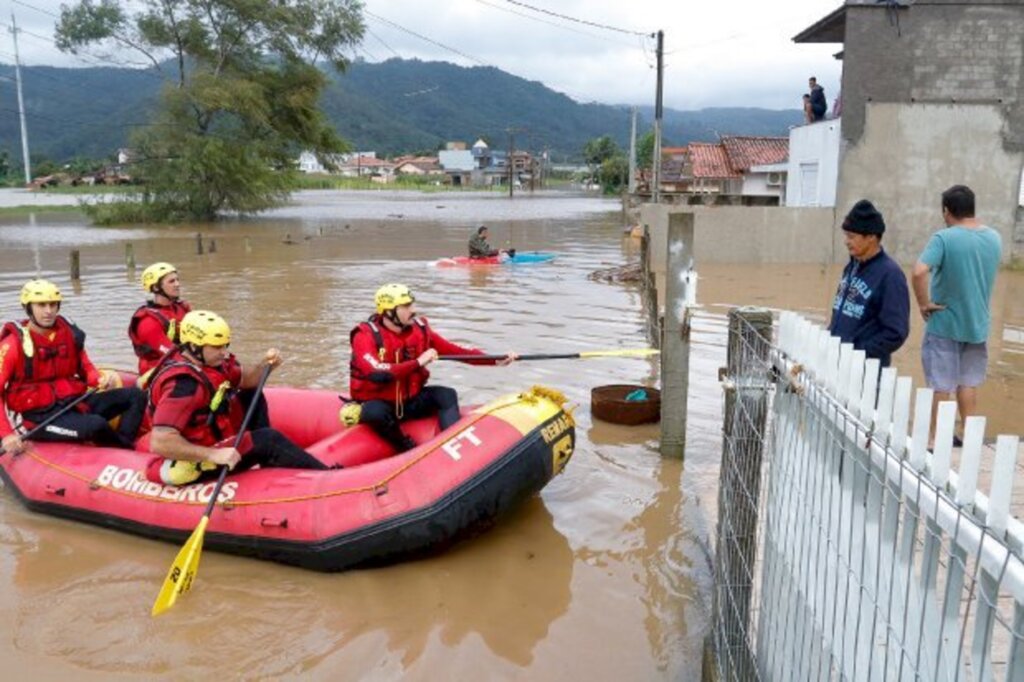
pixel 208 424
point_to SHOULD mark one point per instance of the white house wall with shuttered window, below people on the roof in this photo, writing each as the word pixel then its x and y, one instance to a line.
pixel 814 168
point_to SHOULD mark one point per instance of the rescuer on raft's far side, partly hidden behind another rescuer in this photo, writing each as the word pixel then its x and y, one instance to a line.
pixel 154 327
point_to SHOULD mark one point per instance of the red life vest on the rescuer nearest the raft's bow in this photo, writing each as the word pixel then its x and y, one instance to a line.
pixel 392 349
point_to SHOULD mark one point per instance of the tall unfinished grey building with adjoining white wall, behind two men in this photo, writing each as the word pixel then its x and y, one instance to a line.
pixel 932 96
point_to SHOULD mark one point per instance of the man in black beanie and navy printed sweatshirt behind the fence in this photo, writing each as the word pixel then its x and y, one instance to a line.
pixel 872 309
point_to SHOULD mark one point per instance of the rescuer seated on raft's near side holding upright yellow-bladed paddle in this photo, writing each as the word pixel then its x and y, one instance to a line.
pixel 197 404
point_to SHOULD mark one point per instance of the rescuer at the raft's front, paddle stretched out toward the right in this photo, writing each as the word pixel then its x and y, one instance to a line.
pixel 389 370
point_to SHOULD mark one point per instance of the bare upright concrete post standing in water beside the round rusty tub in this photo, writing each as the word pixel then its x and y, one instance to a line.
pixel 676 334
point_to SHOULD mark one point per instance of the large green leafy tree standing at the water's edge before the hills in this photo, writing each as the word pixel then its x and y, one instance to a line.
pixel 241 97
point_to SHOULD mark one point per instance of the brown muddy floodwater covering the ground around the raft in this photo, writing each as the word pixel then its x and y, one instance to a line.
pixel 604 577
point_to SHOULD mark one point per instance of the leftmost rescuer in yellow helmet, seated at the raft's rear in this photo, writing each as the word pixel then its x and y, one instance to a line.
pixel 45 367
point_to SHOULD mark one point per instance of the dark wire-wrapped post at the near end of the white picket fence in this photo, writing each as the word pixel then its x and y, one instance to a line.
pixel 744 431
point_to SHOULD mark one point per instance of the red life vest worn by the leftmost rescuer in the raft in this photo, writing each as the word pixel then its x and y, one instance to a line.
pixel 53 373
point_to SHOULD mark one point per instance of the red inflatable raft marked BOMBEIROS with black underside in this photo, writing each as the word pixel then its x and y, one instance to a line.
pixel 380 508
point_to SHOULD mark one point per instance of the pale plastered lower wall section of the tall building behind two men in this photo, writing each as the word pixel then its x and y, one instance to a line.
pixel 910 154
